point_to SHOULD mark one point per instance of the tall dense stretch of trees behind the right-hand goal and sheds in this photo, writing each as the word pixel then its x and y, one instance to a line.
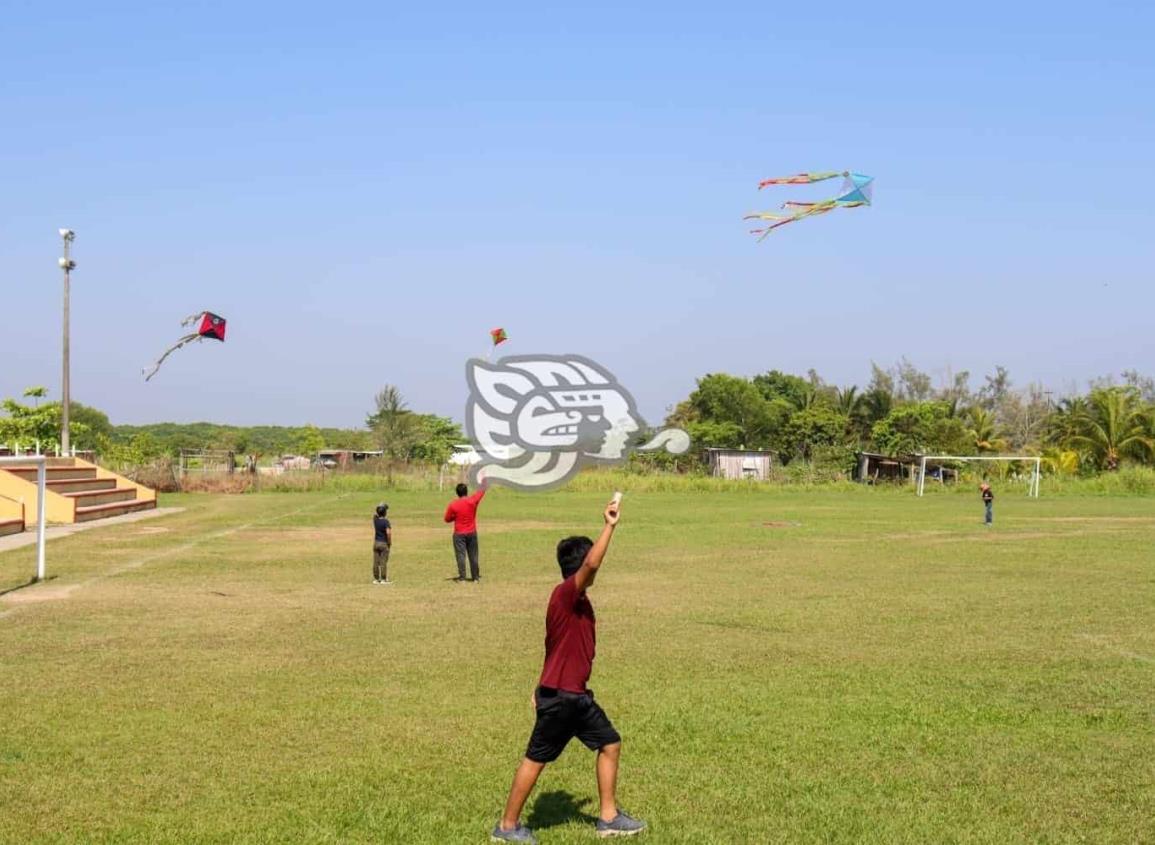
pixel 903 413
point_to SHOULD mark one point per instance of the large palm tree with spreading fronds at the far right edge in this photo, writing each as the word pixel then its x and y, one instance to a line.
pixel 1114 425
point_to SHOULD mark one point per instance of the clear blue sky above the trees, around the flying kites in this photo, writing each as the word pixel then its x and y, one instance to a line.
pixel 364 190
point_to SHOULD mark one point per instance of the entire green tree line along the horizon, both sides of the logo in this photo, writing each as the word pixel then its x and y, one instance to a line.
pixel 800 418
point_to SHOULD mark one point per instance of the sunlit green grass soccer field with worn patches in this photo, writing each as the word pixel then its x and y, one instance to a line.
pixel 786 667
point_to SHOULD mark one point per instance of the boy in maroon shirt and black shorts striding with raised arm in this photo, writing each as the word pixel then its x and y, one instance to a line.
pixel 564 705
